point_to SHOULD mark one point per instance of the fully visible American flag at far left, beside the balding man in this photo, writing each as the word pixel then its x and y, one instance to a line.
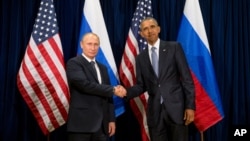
pixel 41 79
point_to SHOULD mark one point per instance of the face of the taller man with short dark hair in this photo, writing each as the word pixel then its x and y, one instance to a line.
pixel 150 31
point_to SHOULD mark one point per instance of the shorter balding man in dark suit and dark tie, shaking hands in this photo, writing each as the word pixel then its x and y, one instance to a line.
pixel 91 111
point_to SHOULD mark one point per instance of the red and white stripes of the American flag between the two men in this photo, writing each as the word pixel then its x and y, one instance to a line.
pixel 128 77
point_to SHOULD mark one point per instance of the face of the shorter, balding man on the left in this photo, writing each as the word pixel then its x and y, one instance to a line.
pixel 90 45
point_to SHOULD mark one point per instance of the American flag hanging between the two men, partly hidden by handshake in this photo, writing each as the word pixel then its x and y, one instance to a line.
pixel 134 44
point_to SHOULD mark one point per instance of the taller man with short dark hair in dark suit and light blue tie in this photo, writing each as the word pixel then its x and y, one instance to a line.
pixel 169 84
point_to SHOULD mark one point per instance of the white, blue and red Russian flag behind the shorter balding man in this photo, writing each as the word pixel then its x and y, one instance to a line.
pixel 92 21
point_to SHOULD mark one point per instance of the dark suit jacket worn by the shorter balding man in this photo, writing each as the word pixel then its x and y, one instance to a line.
pixel 91 104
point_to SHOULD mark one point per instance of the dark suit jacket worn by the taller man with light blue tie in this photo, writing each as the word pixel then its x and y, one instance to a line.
pixel 174 83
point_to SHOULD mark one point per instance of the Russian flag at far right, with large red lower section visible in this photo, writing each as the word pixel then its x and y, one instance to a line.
pixel 193 39
